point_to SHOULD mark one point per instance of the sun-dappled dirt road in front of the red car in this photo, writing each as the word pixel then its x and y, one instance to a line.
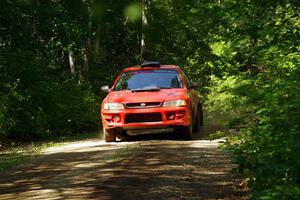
pixel 155 167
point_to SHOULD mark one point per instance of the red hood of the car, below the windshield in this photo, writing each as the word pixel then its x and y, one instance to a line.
pixel 148 96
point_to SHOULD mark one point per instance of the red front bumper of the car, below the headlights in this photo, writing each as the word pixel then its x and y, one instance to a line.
pixel 181 118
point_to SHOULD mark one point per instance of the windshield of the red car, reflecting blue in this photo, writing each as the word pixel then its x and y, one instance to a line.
pixel 149 80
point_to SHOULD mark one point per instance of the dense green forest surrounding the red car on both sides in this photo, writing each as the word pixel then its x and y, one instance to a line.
pixel 244 55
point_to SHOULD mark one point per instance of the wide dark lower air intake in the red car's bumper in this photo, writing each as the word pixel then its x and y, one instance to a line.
pixel 143 117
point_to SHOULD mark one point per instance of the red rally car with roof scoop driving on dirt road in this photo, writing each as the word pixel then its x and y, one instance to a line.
pixel 151 98
